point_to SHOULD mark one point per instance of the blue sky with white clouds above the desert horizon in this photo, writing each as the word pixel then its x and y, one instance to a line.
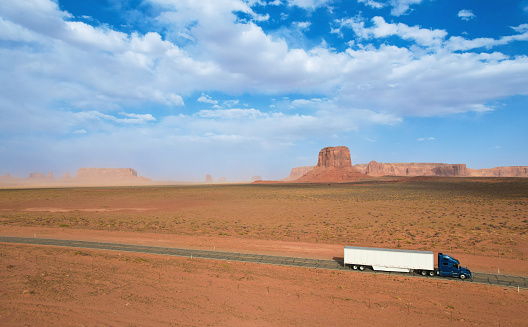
pixel 178 89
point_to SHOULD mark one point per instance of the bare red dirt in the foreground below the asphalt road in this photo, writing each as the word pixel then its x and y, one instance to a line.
pixel 52 286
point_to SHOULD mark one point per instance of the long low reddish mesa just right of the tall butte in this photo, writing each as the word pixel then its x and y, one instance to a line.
pixel 374 168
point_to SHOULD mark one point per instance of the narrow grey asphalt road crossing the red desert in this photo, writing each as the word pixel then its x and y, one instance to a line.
pixel 481 278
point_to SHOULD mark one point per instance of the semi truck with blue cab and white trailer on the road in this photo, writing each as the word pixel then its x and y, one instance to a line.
pixel 421 262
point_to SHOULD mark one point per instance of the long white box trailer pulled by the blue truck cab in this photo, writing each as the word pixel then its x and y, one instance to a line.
pixel 389 259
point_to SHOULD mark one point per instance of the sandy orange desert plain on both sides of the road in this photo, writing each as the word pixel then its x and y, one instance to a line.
pixel 481 221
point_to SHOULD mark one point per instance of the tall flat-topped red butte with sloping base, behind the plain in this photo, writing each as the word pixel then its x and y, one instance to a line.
pixel 333 165
